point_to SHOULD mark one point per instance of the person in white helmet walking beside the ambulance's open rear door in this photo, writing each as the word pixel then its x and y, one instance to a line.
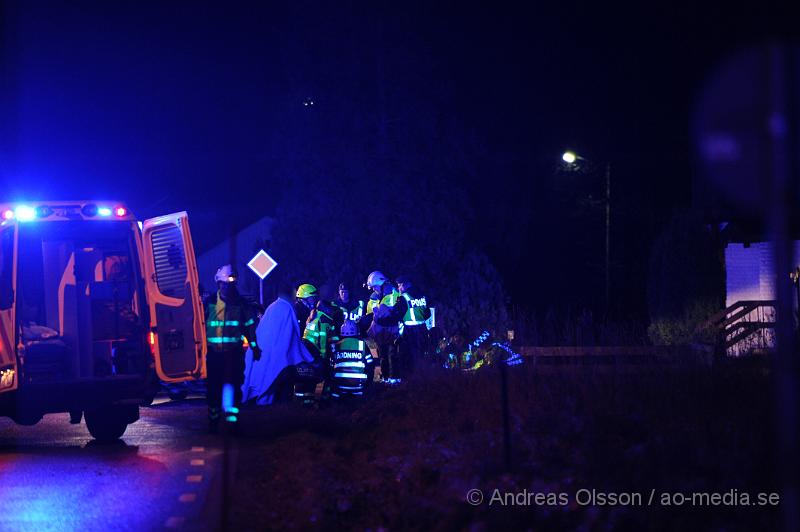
pixel 229 320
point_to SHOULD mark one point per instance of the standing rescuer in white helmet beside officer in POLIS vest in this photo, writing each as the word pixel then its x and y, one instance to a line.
pixel 385 310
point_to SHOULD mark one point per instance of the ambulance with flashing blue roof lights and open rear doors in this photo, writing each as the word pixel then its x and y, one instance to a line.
pixel 95 310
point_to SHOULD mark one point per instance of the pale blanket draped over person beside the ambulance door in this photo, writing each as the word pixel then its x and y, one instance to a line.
pixel 278 336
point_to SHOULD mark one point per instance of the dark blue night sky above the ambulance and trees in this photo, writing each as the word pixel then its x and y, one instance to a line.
pixel 172 106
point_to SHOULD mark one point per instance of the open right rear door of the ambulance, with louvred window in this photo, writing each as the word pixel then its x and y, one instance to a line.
pixel 177 326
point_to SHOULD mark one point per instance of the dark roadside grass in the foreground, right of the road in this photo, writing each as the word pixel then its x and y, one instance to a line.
pixel 407 457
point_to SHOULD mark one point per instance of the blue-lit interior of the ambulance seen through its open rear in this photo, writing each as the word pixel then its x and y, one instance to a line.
pixel 78 301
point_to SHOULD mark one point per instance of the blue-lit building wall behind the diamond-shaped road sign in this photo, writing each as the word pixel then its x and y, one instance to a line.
pixel 248 241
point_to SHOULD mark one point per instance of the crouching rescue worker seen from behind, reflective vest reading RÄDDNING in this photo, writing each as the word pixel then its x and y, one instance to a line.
pixel 351 364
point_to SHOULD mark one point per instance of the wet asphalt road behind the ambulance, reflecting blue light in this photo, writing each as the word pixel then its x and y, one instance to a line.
pixel 163 474
